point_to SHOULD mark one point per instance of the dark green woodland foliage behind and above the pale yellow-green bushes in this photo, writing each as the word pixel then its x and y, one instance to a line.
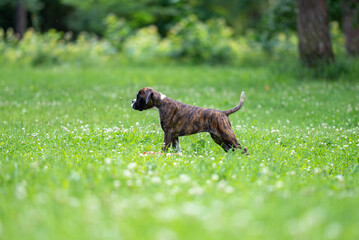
pixel 265 18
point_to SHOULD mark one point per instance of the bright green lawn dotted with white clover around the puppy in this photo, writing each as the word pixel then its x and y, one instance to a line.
pixel 72 163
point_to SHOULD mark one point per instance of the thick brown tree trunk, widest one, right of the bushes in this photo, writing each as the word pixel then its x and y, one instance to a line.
pixel 315 46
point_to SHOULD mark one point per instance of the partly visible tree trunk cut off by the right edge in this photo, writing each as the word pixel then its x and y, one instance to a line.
pixel 351 26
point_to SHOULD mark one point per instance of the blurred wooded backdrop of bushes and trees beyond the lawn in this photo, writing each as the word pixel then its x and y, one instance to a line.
pixel 212 31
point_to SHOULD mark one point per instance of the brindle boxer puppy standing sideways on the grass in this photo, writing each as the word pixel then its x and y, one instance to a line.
pixel 179 119
